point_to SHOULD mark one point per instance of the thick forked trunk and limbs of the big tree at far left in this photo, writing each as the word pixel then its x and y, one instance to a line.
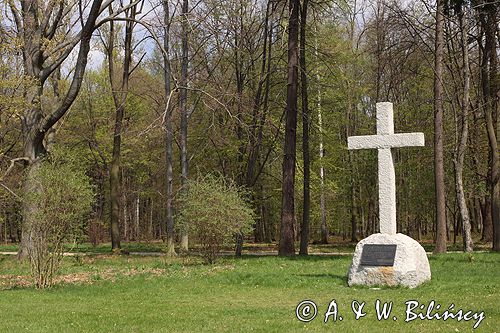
pixel 36 123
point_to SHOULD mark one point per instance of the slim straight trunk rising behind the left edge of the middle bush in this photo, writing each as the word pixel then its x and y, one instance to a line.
pixel 183 112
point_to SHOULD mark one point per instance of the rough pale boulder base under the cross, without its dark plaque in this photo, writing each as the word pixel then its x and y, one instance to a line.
pixel 411 266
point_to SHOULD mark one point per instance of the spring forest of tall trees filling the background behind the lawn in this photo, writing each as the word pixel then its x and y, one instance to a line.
pixel 176 90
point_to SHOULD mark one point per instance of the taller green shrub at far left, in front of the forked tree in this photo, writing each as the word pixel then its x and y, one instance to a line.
pixel 61 200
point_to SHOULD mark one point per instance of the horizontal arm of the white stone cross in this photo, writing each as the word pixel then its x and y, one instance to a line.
pixel 385 141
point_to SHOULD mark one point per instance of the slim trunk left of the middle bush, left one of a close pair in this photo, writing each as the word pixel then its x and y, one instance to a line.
pixel 169 154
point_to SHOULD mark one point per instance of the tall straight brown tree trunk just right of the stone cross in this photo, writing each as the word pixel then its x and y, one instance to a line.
pixel 438 133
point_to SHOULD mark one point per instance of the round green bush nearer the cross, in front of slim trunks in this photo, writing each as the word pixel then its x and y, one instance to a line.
pixel 215 211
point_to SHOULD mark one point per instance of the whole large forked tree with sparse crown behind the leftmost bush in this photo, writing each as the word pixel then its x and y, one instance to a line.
pixel 47 41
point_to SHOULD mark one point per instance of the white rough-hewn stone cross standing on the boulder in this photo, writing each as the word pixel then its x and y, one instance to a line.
pixel 384 141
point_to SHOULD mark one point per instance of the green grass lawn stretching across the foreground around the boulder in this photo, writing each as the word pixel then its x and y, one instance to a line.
pixel 104 293
